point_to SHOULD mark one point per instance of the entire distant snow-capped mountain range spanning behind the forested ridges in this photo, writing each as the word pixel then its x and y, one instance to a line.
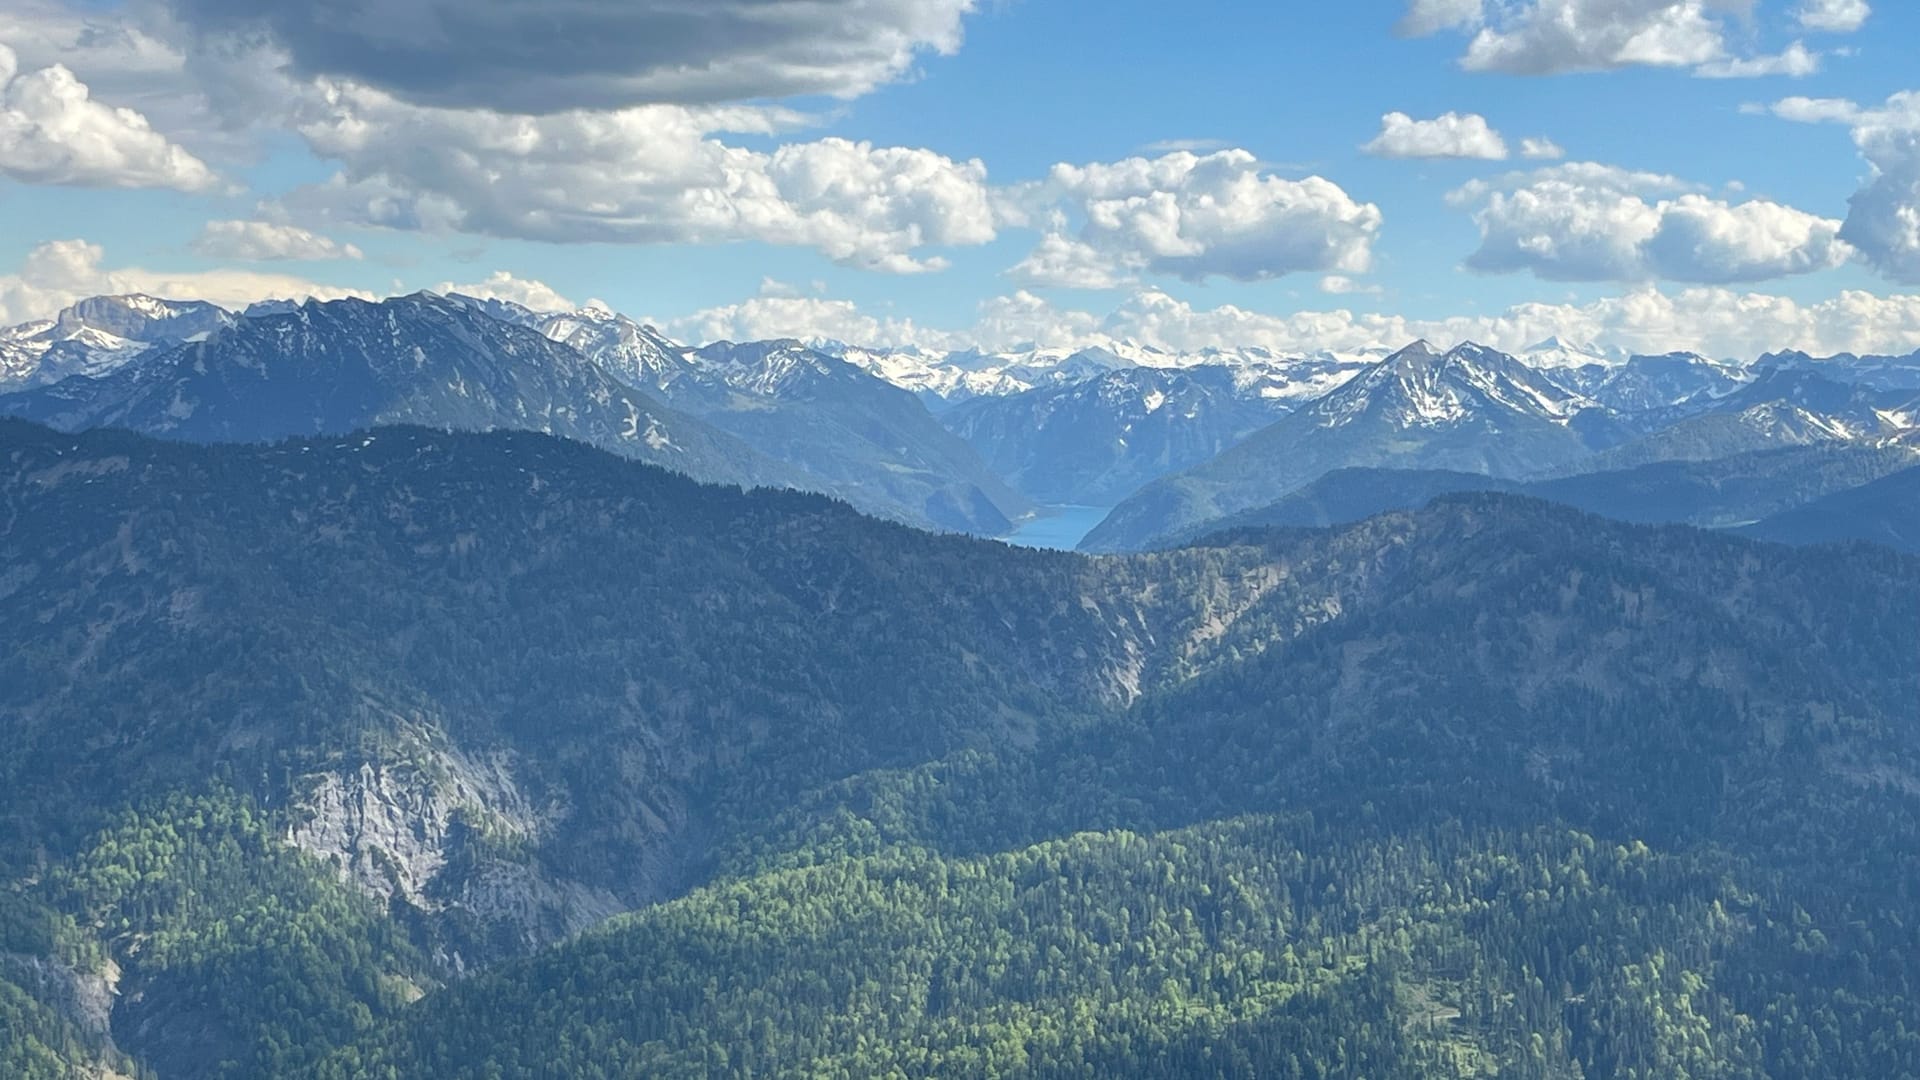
pixel 951 441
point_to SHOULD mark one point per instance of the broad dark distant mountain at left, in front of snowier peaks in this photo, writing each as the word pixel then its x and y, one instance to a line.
pixel 350 364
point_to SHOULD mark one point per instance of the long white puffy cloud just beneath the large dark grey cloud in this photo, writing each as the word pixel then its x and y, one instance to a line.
pixel 652 174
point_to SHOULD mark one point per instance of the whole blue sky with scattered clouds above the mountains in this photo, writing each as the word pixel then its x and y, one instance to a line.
pixel 715 189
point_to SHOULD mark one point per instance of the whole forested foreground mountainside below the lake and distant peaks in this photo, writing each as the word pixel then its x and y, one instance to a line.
pixel 300 733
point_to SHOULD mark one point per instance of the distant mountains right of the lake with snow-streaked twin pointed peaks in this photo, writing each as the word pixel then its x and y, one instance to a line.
pixel 1429 412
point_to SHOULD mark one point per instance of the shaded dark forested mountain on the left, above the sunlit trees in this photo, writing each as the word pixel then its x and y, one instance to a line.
pixel 508 626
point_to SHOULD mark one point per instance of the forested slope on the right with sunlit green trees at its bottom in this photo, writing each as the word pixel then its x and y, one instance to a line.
pixel 1550 798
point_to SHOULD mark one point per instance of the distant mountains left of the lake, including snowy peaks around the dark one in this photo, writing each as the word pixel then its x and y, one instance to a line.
pixel 750 416
